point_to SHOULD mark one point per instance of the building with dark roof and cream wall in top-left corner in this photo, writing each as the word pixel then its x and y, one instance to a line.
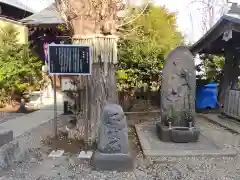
pixel 11 12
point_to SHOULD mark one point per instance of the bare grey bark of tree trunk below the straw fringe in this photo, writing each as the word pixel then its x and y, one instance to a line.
pixel 102 90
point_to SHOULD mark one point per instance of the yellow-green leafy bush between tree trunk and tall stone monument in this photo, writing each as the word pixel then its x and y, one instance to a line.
pixel 143 47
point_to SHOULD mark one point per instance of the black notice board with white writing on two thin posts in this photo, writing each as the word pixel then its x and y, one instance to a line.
pixel 69 60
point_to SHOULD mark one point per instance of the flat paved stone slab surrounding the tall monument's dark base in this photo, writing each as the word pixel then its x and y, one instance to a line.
pixel 153 147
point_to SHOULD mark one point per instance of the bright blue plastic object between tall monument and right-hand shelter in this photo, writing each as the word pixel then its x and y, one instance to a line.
pixel 206 96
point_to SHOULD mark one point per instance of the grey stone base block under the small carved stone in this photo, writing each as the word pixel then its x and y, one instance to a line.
pixel 112 162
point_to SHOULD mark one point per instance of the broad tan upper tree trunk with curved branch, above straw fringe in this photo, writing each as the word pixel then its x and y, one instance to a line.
pixel 101 14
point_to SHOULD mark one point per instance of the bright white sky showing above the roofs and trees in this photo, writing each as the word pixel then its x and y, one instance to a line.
pixel 185 12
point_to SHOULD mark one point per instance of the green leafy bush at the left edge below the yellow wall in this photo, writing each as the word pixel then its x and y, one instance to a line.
pixel 19 69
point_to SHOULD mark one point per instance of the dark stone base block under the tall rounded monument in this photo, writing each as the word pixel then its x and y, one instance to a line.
pixel 177 134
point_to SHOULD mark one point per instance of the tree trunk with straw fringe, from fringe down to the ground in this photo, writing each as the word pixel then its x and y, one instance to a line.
pixel 100 85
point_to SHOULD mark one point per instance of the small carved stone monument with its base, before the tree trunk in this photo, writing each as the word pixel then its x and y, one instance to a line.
pixel 113 150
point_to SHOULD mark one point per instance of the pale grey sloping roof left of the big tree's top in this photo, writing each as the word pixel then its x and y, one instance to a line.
pixel 50 15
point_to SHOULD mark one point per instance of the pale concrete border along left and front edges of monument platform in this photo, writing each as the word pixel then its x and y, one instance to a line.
pixel 148 152
